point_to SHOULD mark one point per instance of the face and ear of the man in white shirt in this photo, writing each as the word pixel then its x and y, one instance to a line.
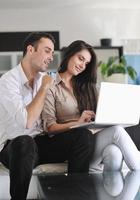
pixel 42 55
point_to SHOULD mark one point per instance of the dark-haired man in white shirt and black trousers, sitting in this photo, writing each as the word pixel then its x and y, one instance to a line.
pixel 22 95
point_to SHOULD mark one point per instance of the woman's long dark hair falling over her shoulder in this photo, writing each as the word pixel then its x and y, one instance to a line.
pixel 84 84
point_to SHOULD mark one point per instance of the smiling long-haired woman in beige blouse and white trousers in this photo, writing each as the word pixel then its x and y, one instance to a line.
pixel 72 100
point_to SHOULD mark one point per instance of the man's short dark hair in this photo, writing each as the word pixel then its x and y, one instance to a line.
pixel 33 39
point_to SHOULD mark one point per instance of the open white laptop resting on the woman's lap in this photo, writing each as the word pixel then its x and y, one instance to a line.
pixel 118 104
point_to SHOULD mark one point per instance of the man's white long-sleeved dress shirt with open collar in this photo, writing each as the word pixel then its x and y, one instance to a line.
pixel 15 94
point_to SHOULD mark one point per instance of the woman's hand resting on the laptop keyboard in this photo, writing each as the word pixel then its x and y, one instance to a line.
pixel 86 116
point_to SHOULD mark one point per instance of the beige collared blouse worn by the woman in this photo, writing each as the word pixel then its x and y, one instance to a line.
pixel 60 104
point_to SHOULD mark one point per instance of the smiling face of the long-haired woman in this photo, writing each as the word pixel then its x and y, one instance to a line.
pixel 78 62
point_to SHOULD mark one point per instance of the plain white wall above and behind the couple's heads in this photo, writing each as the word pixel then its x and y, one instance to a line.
pixel 76 20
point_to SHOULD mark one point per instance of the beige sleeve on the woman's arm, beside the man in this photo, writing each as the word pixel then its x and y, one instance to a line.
pixel 49 111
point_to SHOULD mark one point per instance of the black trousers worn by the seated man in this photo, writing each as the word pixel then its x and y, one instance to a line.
pixel 23 153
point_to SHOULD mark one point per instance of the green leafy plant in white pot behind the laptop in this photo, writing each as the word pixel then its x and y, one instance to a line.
pixel 117 70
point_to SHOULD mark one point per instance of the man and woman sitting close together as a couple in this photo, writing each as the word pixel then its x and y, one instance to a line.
pixel 68 100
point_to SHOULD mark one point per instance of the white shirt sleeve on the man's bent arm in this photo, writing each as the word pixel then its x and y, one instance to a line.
pixel 11 103
